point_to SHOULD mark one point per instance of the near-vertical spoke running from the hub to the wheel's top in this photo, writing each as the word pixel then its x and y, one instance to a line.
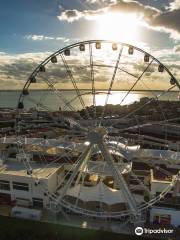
pixel 92 80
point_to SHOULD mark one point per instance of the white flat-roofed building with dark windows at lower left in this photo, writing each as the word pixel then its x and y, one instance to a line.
pixel 26 190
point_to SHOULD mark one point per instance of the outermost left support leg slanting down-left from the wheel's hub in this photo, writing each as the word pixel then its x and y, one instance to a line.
pixel 83 158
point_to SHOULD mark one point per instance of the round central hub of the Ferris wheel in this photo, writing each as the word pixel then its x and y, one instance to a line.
pixel 97 135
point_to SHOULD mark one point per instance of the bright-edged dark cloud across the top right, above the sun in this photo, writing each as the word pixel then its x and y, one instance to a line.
pixel 167 20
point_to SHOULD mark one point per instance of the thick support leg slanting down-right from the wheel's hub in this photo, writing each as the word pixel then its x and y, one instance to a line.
pixel 119 178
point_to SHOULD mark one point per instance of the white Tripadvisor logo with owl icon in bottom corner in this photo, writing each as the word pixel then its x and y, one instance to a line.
pixel 139 231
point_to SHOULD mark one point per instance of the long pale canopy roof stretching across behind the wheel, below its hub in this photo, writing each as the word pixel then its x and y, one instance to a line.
pixel 128 152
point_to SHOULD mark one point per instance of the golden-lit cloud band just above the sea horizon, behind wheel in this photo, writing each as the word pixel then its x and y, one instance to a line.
pixel 16 68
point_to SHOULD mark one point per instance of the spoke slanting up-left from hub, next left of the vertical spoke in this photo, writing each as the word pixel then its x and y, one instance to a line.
pixel 69 73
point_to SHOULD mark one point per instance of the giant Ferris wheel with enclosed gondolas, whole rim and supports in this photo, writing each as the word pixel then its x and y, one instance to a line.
pixel 108 108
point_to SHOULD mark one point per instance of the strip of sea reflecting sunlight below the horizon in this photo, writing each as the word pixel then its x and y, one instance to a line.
pixel 9 99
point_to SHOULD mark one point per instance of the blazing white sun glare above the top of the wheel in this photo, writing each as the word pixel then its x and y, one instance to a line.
pixel 118 27
